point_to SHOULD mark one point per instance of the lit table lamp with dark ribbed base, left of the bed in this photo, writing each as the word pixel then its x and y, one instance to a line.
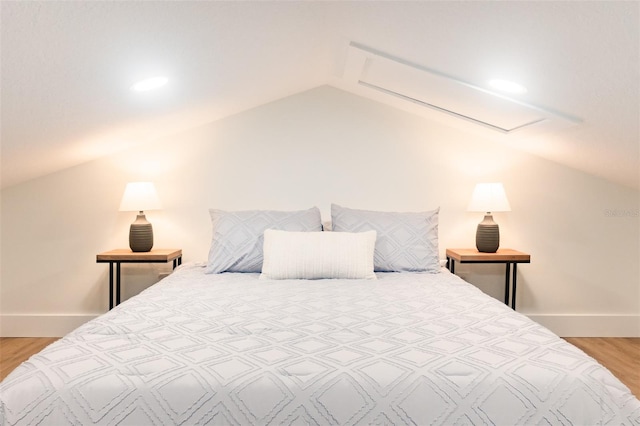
pixel 140 196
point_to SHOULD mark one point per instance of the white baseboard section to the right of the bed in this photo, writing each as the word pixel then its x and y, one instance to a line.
pixel 590 325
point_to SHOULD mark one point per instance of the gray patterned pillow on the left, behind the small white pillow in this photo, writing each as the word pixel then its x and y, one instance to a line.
pixel 236 243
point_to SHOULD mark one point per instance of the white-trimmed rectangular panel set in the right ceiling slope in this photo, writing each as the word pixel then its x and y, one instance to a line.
pixel 394 79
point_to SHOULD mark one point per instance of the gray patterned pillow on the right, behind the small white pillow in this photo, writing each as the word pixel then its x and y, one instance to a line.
pixel 407 242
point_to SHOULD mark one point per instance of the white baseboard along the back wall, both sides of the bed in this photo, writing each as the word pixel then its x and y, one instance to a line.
pixel 563 325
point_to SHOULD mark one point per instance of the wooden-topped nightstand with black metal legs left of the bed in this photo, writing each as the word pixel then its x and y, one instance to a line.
pixel 119 256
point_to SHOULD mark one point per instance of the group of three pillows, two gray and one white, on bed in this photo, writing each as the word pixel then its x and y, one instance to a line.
pixel 290 245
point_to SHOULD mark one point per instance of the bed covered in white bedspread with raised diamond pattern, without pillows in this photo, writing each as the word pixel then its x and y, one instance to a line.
pixel 407 348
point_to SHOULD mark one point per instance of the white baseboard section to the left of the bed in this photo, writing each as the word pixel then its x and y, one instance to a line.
pixel 40 325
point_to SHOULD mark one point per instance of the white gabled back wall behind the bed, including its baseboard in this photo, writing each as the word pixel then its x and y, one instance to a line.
pixel 315 148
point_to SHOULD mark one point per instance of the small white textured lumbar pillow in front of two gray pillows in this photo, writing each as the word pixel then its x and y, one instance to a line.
pixel 317 255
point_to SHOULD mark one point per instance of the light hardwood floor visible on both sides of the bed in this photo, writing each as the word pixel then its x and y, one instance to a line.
pixel 620 355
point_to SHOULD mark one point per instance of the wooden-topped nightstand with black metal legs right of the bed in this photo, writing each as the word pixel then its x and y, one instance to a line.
pixel 507 256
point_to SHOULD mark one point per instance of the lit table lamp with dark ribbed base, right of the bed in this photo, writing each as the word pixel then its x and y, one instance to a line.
pixel 488 198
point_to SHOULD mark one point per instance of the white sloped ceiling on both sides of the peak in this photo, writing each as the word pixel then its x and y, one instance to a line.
pixel 66 69
